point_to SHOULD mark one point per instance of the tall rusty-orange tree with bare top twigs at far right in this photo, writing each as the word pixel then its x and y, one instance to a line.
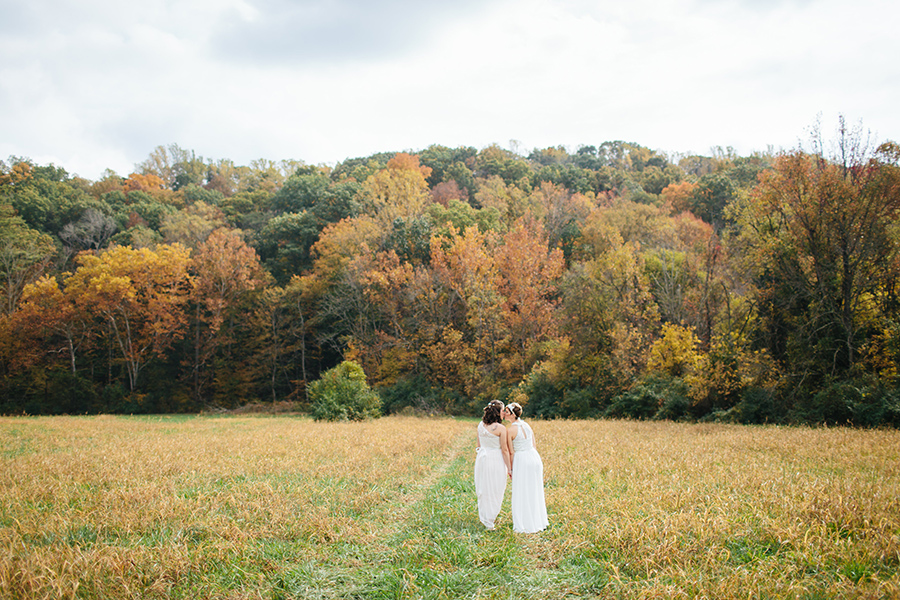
pixel 818 229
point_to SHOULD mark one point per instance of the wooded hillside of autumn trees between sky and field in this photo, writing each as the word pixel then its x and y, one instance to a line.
pixel 612 281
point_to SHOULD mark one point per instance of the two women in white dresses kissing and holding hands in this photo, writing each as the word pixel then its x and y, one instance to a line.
pixel 506 452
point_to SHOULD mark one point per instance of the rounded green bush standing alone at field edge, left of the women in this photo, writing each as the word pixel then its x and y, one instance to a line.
pixel 342 394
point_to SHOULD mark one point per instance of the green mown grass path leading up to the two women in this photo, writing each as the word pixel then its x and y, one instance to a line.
pixel 433 546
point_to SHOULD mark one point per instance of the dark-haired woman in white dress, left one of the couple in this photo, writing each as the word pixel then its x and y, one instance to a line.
pixel 492 463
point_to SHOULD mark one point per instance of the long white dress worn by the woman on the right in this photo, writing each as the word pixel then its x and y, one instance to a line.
pixel 529 510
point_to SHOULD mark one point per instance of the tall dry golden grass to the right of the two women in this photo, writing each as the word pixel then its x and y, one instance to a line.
pixel 678 510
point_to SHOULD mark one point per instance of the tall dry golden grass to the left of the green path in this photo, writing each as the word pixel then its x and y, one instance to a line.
pixel 137 507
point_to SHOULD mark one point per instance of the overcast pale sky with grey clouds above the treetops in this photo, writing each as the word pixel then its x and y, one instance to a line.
pixel 98 84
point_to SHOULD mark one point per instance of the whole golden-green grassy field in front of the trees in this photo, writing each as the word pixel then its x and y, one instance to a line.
pixel 284 507
